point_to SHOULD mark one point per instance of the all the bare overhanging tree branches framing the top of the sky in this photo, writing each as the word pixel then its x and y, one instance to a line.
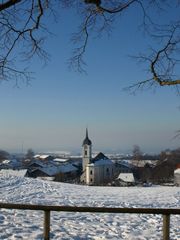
pixel 23 31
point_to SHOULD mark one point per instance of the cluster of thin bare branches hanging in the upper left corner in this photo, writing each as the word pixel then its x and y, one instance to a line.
pixel 20 23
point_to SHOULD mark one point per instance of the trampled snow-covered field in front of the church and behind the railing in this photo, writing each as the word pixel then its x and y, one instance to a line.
pixel 18 224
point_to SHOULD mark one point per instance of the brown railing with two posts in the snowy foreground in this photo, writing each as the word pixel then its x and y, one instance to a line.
pixel 47 210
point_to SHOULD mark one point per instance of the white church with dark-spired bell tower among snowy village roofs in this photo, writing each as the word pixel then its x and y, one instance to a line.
pixel 98 170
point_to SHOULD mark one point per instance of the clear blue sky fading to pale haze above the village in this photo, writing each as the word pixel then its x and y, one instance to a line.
pixel 53 112
